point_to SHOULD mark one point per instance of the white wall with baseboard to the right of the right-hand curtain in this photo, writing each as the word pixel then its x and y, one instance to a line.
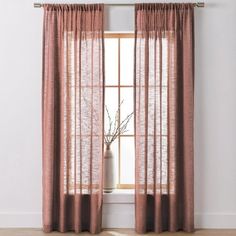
pixel 215 115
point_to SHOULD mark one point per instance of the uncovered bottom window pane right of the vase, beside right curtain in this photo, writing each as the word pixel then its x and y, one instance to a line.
pixel 127 167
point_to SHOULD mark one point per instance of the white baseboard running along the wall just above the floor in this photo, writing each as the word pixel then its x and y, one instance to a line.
pixel 117 220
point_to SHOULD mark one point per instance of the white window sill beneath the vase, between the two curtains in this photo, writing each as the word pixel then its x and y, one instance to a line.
pixel 125 196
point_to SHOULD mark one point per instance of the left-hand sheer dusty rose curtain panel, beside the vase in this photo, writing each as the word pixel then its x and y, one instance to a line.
pixel 73 97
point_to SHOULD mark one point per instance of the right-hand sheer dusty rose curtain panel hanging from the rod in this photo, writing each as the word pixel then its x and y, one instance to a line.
pixel 164 71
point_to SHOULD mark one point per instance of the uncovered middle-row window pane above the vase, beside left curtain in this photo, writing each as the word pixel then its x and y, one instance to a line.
pixel 111 101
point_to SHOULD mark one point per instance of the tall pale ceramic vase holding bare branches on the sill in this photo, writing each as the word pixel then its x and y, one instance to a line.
pixel 109 172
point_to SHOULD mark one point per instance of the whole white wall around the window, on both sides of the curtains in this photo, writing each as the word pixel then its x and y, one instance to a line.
pixel 20 120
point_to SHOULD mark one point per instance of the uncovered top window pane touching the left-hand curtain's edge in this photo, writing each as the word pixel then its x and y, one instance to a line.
pixel 111 61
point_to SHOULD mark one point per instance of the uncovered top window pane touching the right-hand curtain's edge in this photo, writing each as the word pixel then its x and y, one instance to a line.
pixel 126 61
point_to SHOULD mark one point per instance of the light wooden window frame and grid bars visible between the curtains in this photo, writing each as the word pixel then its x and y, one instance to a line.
pixel 119 86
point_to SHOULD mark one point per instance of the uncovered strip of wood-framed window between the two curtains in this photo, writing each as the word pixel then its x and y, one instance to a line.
pixel 119 86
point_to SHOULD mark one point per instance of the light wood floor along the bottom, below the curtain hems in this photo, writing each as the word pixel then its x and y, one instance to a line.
pixel 115 232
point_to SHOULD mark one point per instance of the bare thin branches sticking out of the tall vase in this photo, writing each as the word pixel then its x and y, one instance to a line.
pixel 116 128
